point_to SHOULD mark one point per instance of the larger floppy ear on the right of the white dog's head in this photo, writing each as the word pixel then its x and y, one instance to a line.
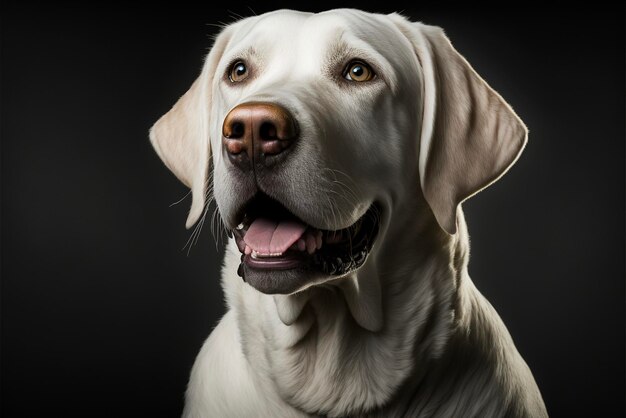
pixel 470 136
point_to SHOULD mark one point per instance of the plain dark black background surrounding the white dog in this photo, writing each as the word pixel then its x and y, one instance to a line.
pixel 102 309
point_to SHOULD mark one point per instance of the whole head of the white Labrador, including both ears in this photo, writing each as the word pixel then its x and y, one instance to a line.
pixel 319 125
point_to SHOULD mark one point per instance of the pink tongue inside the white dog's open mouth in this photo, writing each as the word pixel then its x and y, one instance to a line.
pixel 266 236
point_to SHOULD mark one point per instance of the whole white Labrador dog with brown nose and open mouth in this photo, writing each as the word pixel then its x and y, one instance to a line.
pixel 339 147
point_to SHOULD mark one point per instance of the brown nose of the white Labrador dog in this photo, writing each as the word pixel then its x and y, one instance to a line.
pixel 255 132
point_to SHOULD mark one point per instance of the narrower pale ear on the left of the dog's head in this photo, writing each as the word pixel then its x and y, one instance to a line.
pixel 181 136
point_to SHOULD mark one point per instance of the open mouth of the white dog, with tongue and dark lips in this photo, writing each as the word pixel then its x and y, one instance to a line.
pixel 270 237
